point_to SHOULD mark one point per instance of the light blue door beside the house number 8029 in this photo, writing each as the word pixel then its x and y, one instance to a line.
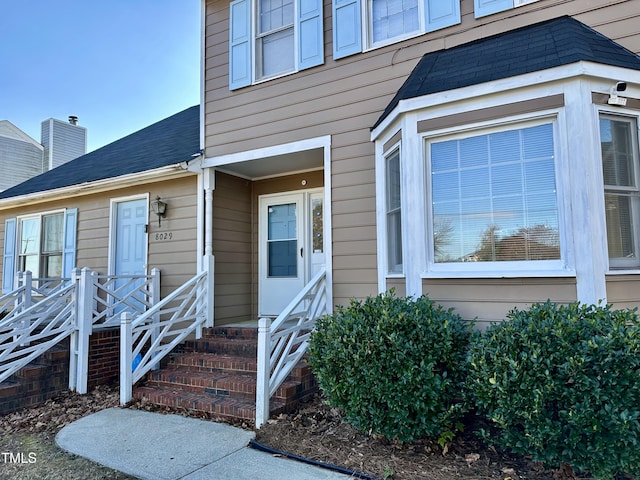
pixel 130 243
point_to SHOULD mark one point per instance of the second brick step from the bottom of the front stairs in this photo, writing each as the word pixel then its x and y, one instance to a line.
pixel 219 383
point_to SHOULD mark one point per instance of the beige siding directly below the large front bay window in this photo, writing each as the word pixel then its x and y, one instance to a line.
pixel 489 300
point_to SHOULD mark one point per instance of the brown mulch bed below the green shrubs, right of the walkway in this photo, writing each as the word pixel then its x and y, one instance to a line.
pixel 319 432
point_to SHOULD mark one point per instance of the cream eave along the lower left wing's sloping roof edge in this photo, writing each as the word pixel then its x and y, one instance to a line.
pixel 167 172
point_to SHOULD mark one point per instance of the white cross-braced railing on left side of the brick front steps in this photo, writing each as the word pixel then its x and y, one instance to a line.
pixel 147 339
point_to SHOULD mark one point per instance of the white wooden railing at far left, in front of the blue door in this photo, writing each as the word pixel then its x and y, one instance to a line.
pixel 41 312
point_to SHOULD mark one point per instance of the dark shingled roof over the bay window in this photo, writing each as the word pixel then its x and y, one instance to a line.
pixel 536 47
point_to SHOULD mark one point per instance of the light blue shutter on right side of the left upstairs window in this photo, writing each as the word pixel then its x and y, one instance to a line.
pixel 310 37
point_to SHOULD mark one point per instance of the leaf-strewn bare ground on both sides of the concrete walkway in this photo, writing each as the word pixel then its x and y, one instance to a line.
pixel 315 431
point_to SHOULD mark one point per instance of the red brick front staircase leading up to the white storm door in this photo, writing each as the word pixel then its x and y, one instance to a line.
pixel 217 375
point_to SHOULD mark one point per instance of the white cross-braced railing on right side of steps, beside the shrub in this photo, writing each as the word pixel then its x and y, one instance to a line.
pixel 282 344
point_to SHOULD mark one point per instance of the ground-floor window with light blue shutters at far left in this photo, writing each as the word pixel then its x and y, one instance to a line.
pixel 44 244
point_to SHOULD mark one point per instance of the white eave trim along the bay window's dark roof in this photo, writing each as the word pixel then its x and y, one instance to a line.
pixel 555 74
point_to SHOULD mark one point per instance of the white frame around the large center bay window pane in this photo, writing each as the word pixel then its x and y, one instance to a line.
pixel 531 268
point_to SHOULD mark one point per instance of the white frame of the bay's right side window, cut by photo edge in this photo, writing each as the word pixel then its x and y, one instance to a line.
pixel 619 265
